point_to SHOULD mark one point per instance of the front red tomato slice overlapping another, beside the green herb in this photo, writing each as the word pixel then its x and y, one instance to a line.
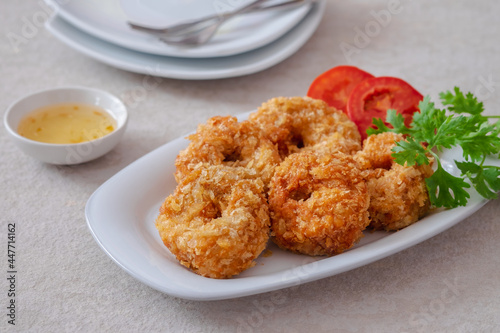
pixel 373 97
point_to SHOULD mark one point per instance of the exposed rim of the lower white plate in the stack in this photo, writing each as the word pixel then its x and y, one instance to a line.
pixel 143 63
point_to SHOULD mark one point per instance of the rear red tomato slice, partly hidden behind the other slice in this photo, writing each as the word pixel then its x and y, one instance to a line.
pixel 335 85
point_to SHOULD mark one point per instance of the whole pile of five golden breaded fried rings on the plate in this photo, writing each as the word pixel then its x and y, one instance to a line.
pixel 294 171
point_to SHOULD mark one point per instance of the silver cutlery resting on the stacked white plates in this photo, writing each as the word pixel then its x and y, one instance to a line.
pixel 200 31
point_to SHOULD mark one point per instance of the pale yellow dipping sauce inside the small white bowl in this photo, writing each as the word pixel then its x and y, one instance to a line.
pixel 66 123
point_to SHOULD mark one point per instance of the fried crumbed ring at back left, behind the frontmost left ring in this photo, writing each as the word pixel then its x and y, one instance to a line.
pixel 224 140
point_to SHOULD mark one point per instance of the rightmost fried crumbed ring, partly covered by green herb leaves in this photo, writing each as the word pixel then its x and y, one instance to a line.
pixel 398 194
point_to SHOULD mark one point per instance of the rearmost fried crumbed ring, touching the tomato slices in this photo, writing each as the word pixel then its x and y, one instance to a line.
pixel 296 123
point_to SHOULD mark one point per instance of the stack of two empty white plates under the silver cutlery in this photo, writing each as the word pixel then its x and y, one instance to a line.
pixel 246 44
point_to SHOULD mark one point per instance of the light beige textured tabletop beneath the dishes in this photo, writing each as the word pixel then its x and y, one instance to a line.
pixel 66 283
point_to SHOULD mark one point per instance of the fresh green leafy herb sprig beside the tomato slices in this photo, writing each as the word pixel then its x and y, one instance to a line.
pixel 460 123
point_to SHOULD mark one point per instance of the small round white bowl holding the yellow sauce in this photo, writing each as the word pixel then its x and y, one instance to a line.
pixel 67 154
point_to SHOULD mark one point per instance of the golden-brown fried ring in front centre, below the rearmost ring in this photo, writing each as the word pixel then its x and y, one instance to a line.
pixel 318 203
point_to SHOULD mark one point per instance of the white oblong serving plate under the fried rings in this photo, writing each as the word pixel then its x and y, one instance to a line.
pixel 121 215
